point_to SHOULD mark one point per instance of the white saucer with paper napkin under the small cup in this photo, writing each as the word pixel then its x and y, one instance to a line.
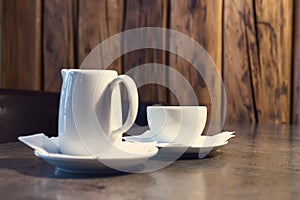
pixel 202 147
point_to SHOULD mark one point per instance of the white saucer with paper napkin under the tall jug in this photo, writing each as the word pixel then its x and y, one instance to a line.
pixel 47 149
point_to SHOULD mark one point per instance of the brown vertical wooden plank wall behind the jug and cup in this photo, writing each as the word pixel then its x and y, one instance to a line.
pixel 254 43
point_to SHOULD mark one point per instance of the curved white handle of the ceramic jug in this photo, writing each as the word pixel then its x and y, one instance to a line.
pixel 133 101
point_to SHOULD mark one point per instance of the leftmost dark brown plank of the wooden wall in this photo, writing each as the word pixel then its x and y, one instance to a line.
pixel 21 46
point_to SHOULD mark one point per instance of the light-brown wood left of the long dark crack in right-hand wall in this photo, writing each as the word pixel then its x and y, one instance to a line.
pixel 240 52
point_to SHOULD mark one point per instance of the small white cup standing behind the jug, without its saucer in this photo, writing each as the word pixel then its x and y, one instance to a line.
pixel 177 124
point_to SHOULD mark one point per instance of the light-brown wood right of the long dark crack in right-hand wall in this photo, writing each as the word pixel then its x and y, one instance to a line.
pixel 272 80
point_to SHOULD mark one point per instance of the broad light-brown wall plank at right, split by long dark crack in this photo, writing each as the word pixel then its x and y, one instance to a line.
pixel 257 60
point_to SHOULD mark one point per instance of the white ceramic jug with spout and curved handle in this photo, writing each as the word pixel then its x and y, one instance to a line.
pixel 90 111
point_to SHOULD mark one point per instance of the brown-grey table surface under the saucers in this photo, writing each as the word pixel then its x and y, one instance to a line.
pixel 261 162
